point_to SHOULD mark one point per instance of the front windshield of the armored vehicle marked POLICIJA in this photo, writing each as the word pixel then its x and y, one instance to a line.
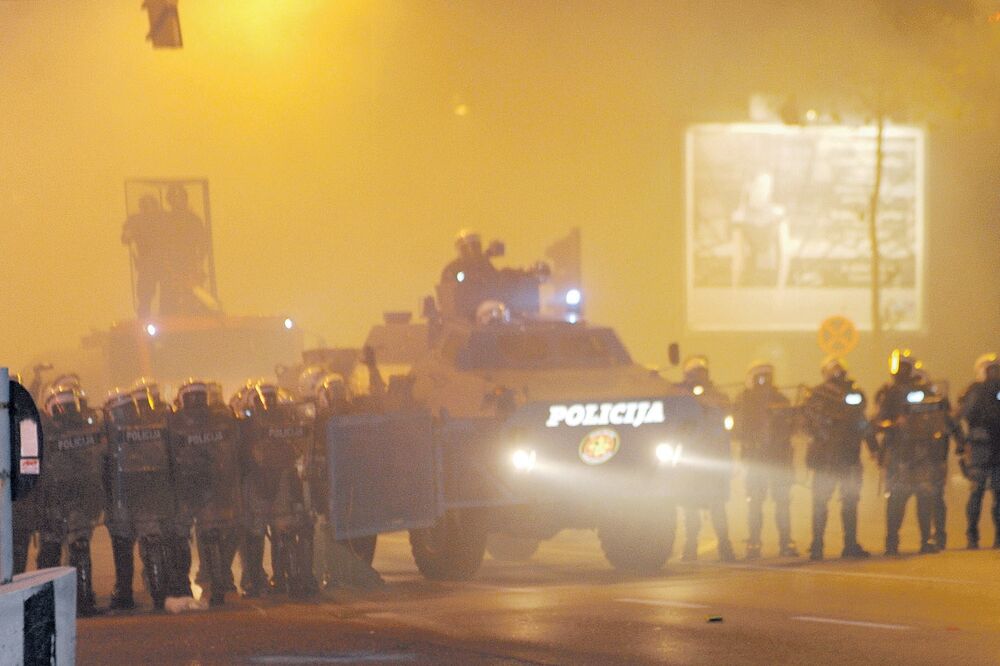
pixel 556 347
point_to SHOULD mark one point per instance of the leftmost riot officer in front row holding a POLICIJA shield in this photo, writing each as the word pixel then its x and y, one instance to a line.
pixel 69 495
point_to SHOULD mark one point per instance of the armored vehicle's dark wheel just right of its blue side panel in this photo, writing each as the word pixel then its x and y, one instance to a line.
pixel 452 549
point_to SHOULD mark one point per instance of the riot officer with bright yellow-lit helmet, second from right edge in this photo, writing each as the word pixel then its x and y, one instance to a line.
pixel 912 424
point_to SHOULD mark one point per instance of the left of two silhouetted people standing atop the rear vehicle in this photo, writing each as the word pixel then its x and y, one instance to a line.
pixel 144 234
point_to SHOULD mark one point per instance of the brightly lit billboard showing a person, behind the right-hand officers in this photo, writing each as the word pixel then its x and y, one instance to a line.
pixel 777 226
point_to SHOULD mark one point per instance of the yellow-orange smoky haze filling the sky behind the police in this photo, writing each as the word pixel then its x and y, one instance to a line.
pixel 346 143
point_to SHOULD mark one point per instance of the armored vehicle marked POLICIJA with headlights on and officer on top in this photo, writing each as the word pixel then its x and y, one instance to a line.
pixel 511 426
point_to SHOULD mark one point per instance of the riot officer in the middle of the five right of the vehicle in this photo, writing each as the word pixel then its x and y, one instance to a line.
pixel 834 415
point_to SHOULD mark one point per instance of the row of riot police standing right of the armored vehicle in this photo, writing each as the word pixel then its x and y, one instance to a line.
pixel 908 433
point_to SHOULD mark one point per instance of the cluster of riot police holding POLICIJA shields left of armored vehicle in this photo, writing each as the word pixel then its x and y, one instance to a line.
pixel 231 473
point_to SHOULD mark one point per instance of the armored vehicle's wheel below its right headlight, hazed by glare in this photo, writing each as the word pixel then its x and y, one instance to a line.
pixel 640 544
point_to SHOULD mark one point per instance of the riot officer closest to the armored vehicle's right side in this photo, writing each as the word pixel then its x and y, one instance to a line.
pixel 710 489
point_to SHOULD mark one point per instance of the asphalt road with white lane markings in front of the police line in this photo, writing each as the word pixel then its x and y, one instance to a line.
pixel 566 606
